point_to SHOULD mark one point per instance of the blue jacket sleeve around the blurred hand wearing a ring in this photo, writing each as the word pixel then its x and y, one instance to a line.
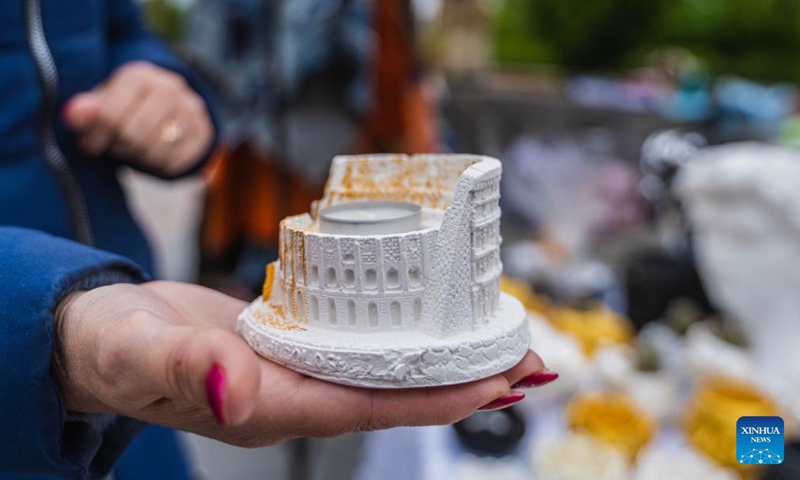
pixel 130 40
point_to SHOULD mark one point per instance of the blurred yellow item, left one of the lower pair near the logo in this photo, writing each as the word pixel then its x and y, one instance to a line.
pixel 613 418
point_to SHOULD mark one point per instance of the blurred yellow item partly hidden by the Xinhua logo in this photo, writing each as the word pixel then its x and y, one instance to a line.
pixel 711 415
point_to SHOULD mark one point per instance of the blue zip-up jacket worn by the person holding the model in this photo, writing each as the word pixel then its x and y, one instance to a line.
pixel 87 39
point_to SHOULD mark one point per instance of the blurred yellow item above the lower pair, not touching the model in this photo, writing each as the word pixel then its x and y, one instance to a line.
pixel 593 328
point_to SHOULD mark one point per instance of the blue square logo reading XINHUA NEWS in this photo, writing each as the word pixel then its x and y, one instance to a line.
pixel 759 440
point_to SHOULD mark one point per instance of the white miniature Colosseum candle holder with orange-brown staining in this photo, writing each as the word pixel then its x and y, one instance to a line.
pixel 413 308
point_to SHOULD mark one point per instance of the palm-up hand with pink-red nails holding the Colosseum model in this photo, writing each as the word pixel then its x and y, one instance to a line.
pixel 167 353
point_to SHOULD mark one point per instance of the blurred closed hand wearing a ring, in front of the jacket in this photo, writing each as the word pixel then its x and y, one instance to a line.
pixel 144 115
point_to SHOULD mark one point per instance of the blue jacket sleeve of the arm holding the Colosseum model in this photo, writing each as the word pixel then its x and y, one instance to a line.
pixel 37 435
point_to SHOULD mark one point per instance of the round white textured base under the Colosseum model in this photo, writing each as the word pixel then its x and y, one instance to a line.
pixel 402 359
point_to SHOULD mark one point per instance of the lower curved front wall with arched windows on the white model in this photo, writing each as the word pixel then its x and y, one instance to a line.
pixel 349 277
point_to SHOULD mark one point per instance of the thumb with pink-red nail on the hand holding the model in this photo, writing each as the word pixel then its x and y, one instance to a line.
pixel 208 367
